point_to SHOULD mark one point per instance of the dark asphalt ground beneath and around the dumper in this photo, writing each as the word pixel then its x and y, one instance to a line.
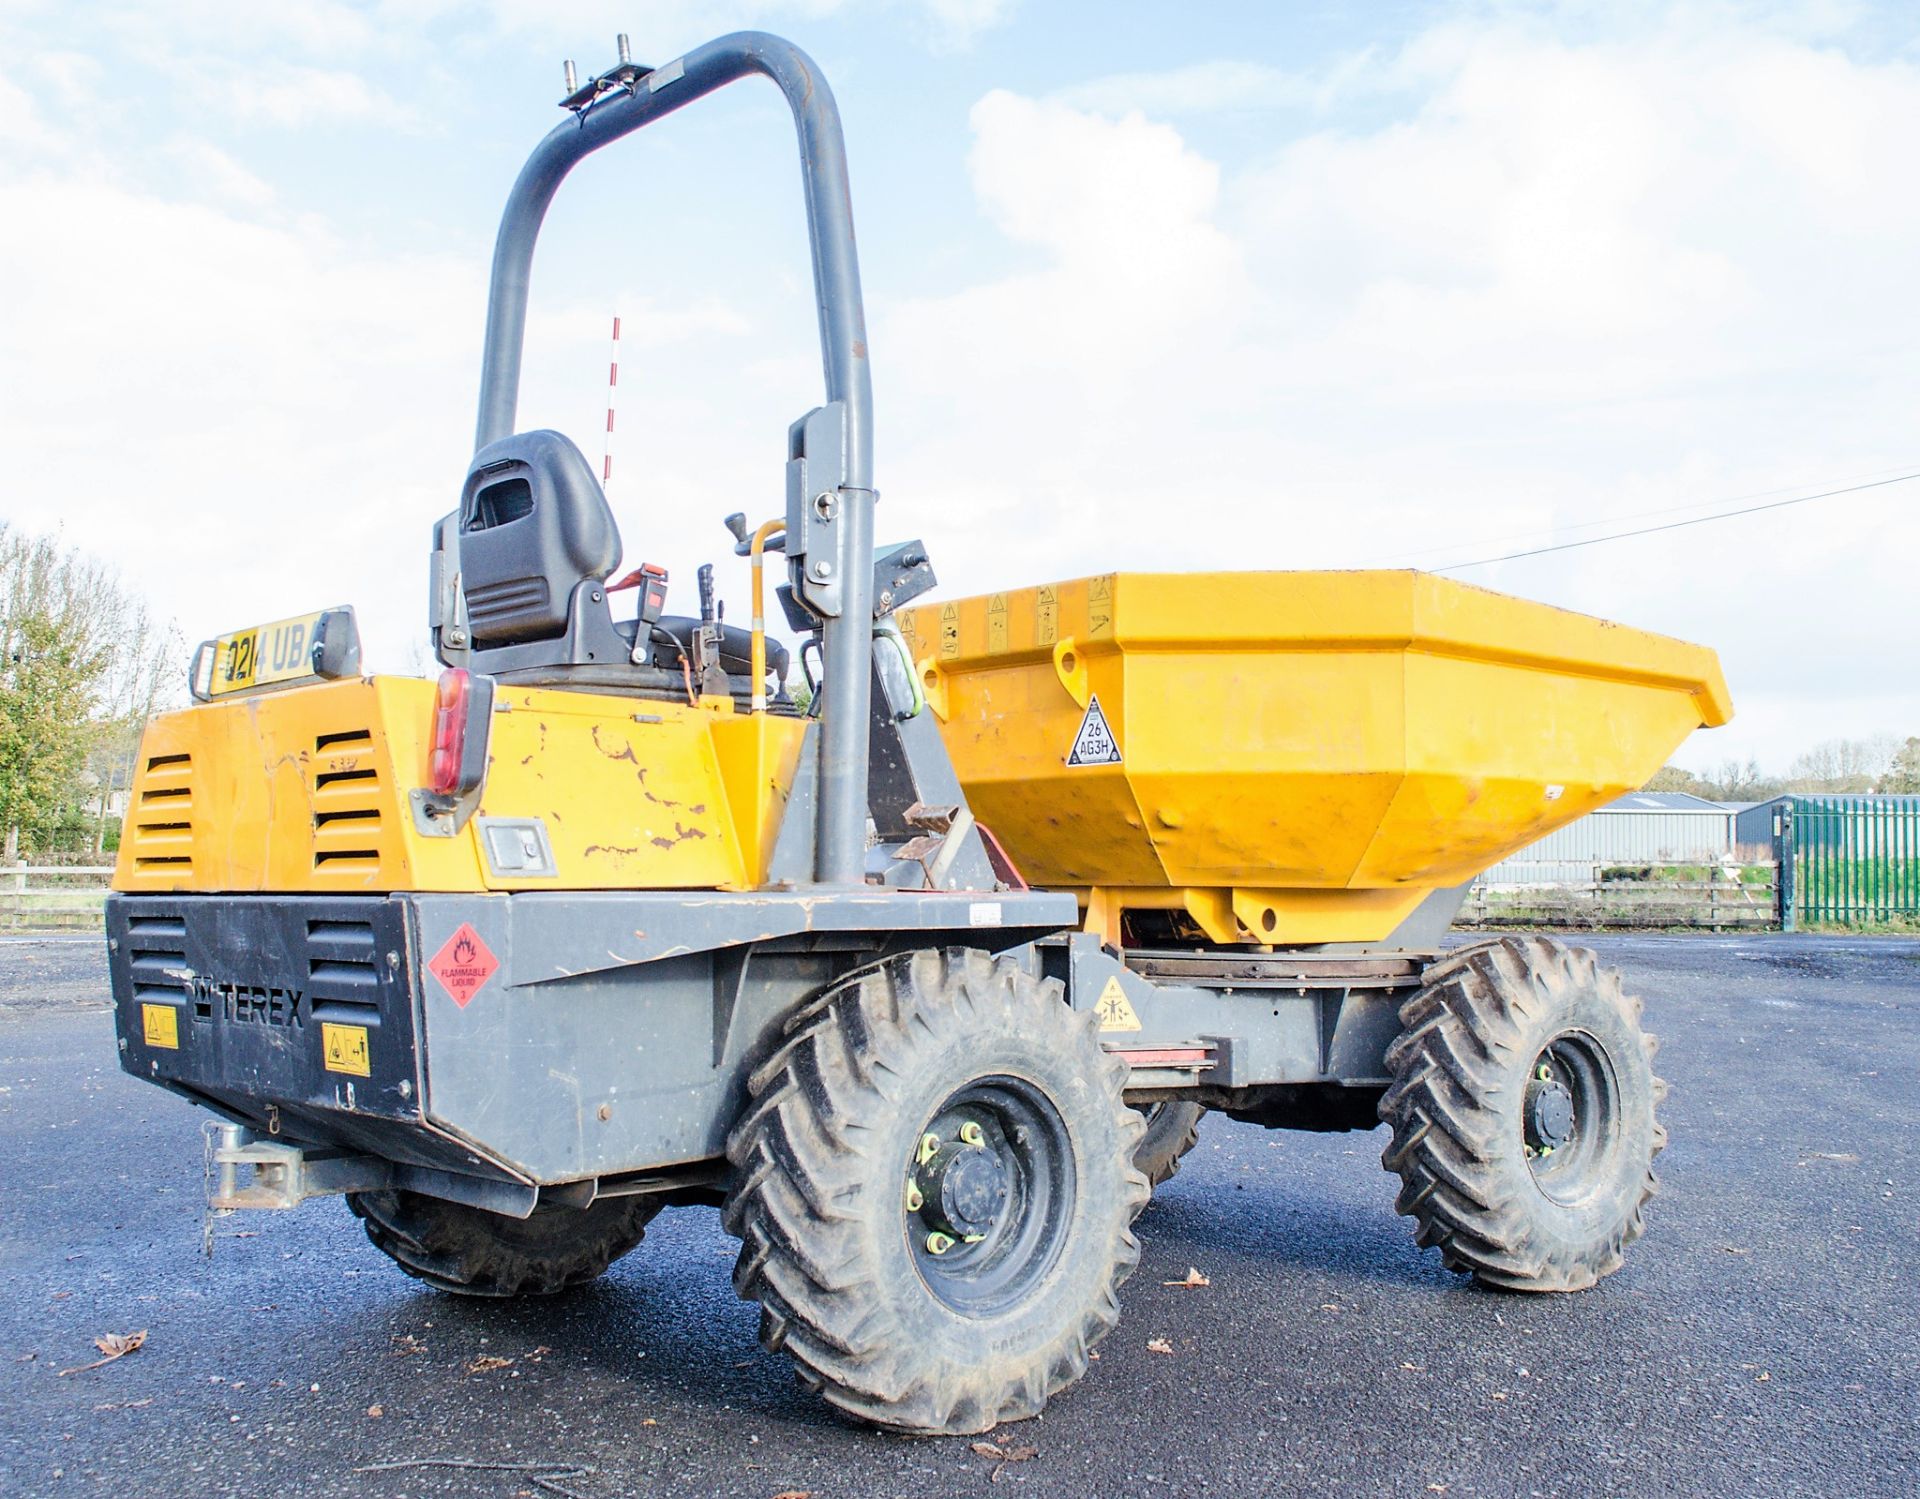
pixel 1764 1339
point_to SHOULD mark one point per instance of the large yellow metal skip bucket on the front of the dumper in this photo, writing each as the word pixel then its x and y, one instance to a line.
pixel 1291 757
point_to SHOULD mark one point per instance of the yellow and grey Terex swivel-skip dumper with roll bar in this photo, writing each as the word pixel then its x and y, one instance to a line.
pixel 924 978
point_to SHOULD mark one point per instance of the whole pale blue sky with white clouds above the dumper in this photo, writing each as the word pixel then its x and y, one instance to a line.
pixel 1234 285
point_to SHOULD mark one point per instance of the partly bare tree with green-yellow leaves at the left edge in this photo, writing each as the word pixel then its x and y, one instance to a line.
pixel 78 659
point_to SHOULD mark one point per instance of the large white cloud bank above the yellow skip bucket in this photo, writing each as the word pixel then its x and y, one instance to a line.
pixel 1560 283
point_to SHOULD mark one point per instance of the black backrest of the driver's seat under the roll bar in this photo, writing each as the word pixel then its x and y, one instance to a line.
pixel 533 527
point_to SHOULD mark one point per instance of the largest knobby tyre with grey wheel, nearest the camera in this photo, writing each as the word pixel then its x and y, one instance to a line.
pixel 936 1193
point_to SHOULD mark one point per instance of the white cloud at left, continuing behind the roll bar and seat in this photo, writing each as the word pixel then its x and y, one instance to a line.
pixel 249 414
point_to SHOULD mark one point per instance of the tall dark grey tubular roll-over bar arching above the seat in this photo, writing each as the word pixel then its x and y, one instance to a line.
pixel 840 847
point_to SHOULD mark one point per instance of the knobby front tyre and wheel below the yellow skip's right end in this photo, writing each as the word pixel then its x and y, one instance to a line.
pixel 1524 1114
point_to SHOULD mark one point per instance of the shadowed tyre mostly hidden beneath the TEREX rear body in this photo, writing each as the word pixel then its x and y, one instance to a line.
pixel 471 1252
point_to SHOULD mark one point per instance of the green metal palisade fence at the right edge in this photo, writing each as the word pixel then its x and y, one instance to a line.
pixel 1856 859
